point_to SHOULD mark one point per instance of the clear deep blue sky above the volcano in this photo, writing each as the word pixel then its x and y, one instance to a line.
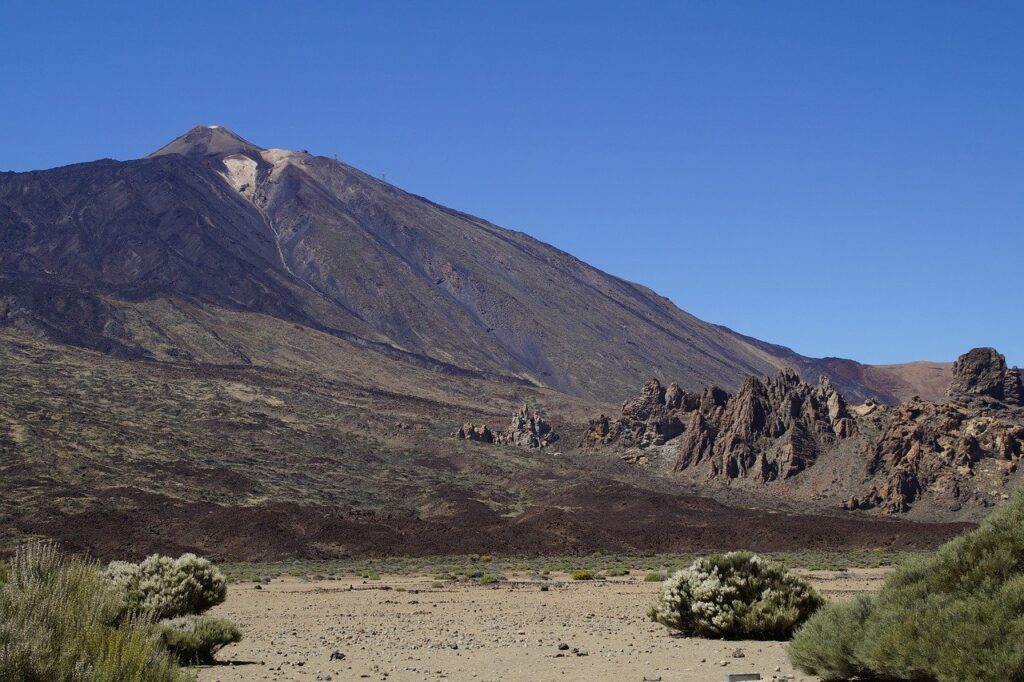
pixel 846 179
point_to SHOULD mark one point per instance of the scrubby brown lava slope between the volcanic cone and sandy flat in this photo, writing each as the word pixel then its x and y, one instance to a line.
pixel 121 458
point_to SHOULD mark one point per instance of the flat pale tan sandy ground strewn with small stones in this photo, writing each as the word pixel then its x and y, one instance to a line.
pixel 403 628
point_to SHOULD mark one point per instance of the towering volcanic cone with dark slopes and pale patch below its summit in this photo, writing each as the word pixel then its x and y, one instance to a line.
pixel 115 255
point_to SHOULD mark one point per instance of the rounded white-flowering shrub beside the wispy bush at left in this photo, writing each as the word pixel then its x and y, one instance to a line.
pixel 165 588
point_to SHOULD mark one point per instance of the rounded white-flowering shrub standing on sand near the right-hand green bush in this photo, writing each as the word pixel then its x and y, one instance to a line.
pixel 736 596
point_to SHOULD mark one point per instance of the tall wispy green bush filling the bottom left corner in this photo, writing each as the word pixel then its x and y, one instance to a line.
pixel 62 622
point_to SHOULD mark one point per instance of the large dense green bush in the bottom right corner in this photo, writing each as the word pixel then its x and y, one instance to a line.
pixel 958 616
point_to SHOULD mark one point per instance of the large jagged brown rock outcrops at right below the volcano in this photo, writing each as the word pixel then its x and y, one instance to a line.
pixel 783 434
